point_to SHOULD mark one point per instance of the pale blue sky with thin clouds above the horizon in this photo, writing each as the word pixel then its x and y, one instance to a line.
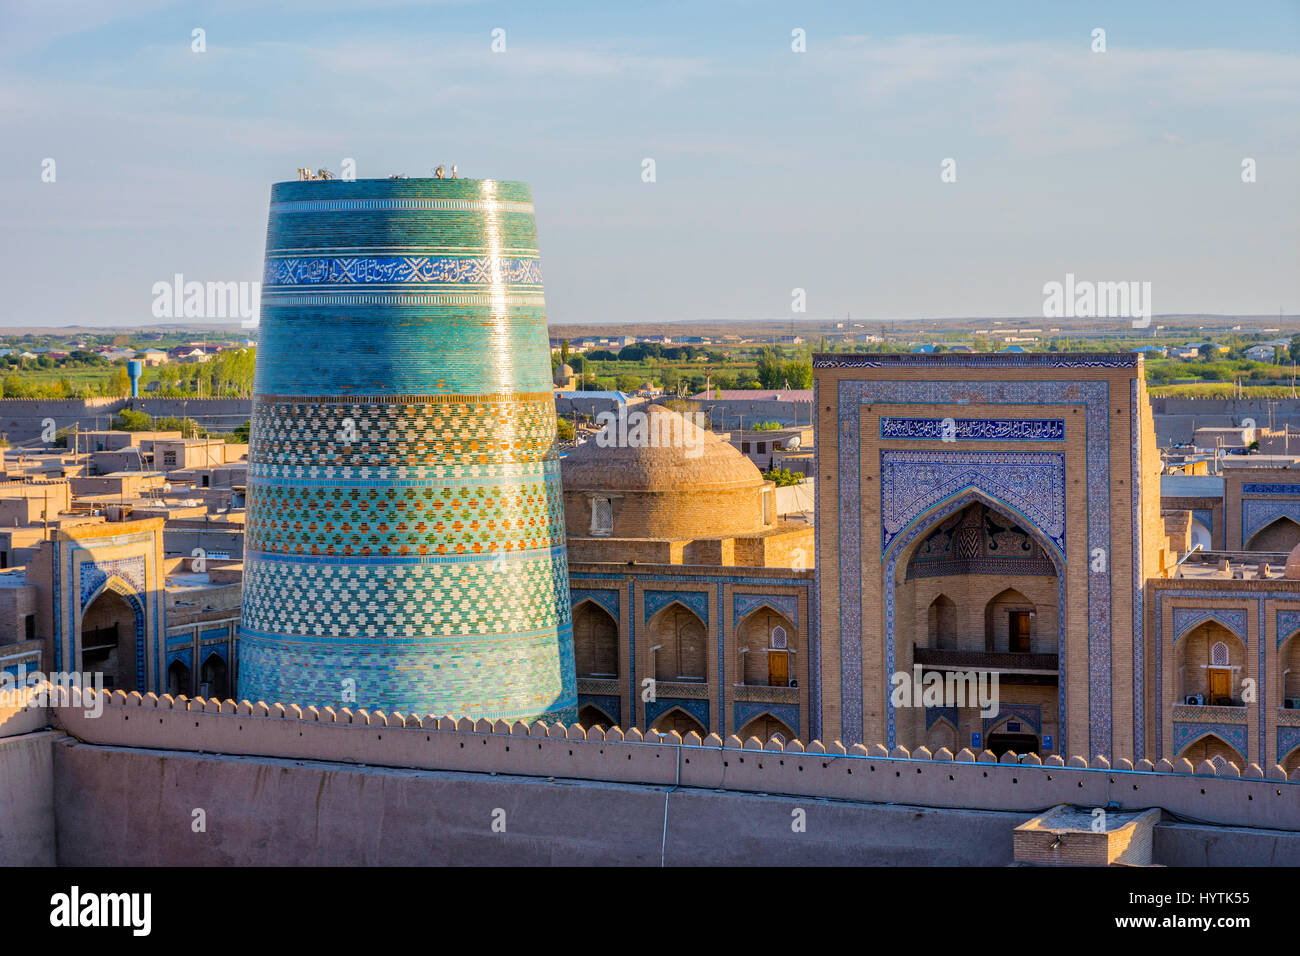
pixel 775 170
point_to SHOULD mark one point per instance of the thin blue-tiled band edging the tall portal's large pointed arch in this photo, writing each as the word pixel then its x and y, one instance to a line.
pixel 907 542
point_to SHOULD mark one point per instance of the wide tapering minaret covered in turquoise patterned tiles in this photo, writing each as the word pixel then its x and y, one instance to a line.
pixel 406 530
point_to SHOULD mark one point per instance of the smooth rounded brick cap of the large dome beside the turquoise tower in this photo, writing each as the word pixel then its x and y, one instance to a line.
pixel 686 458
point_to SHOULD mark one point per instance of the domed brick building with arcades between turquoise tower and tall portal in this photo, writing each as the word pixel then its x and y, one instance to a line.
pixel 682 572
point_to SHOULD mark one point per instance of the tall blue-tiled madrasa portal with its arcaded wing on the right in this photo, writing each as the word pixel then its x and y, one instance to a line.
pixel 1002 514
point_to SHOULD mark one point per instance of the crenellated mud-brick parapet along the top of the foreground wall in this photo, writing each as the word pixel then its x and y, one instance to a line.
pixel 1215 793
